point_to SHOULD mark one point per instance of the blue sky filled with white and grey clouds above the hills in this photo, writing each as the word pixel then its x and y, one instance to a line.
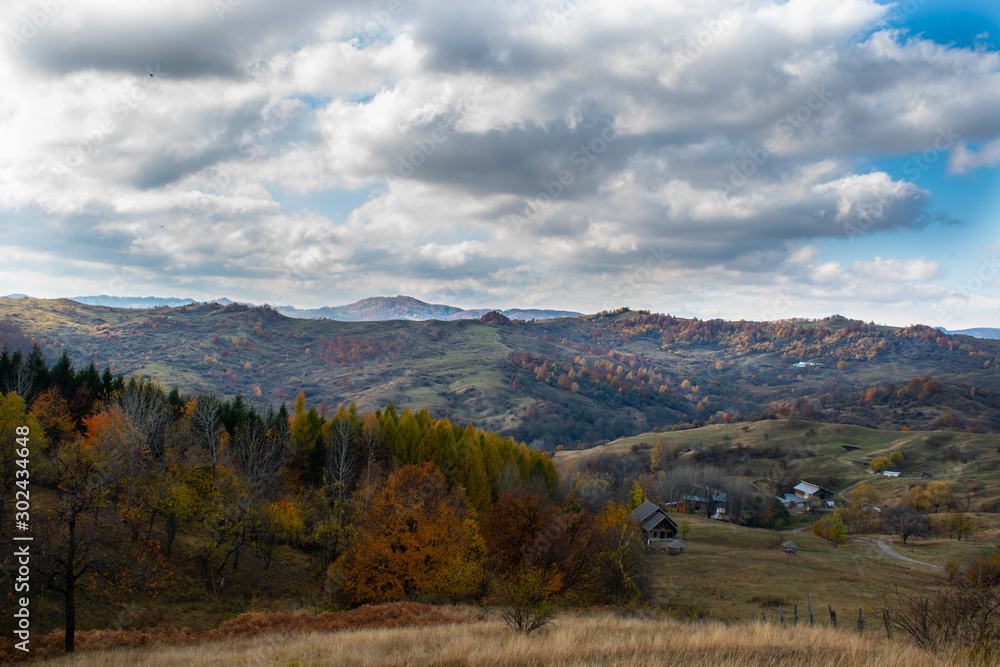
pixel 744 159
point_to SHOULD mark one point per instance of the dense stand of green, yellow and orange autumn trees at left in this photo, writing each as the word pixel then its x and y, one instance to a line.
pixel 382 505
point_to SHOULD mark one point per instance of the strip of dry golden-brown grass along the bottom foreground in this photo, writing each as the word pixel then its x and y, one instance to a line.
pixel 574 639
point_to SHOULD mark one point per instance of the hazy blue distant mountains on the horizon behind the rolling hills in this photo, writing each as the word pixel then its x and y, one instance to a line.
pixel 373 309
